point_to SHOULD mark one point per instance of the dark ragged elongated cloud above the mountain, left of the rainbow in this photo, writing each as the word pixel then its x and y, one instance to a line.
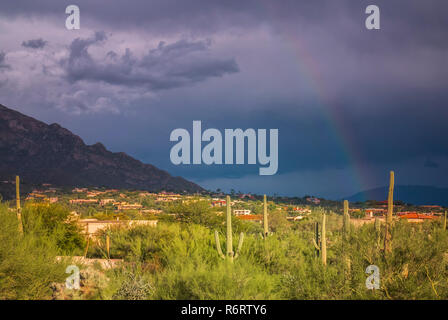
pixel 165 67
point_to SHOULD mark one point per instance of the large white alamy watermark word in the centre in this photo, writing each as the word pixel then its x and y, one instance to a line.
pixel 234 140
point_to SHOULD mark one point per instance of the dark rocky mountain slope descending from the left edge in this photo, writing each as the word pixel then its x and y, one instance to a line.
pixel 41 153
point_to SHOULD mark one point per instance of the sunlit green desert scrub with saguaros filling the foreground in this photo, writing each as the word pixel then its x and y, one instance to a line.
pixel 196 252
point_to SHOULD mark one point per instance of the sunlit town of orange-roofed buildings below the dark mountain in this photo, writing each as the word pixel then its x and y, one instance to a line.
pixel 101 207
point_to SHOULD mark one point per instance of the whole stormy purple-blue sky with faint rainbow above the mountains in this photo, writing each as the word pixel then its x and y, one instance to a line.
pixel 350 103
